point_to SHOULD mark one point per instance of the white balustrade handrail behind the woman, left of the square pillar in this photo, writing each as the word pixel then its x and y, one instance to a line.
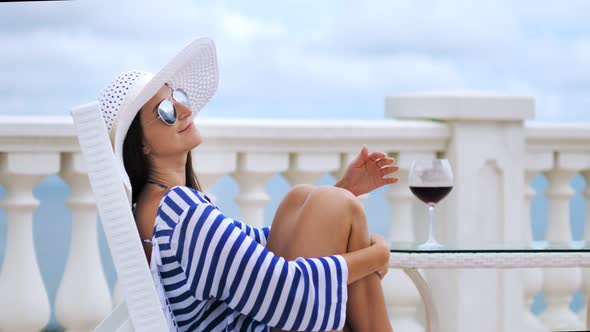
pixel 57 134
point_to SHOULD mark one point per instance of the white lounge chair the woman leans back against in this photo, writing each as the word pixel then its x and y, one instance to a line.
pixel 141 311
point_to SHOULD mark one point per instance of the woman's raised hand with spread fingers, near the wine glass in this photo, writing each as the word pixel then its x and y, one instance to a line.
pixel 366 173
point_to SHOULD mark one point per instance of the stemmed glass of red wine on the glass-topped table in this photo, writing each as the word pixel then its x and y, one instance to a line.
pixel 431 180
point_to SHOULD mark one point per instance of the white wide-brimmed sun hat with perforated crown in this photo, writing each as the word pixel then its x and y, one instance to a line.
pixel 194 70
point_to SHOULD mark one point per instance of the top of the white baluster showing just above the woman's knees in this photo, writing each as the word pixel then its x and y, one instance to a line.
pixel 308 168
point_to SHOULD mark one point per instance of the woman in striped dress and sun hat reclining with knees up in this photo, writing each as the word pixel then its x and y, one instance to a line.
pixel 315 269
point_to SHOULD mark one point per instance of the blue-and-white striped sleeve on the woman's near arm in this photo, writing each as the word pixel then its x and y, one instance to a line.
pixel 220 261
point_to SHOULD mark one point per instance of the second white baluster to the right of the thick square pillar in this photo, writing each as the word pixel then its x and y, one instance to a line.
pixel 560 284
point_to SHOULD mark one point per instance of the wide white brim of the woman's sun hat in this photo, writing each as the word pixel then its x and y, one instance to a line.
pixel 194 69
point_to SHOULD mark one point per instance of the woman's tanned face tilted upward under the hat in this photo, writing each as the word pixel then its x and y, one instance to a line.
pixel 166 140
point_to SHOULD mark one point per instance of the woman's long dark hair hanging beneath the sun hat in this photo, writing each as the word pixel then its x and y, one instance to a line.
pixel 137 164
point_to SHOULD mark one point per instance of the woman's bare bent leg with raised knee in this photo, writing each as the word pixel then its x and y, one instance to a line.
pixel 313 222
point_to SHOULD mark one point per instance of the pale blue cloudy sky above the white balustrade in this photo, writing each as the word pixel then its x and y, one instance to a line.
pixel 304 59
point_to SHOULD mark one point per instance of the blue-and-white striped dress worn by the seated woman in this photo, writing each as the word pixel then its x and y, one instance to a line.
pixel 214 274
